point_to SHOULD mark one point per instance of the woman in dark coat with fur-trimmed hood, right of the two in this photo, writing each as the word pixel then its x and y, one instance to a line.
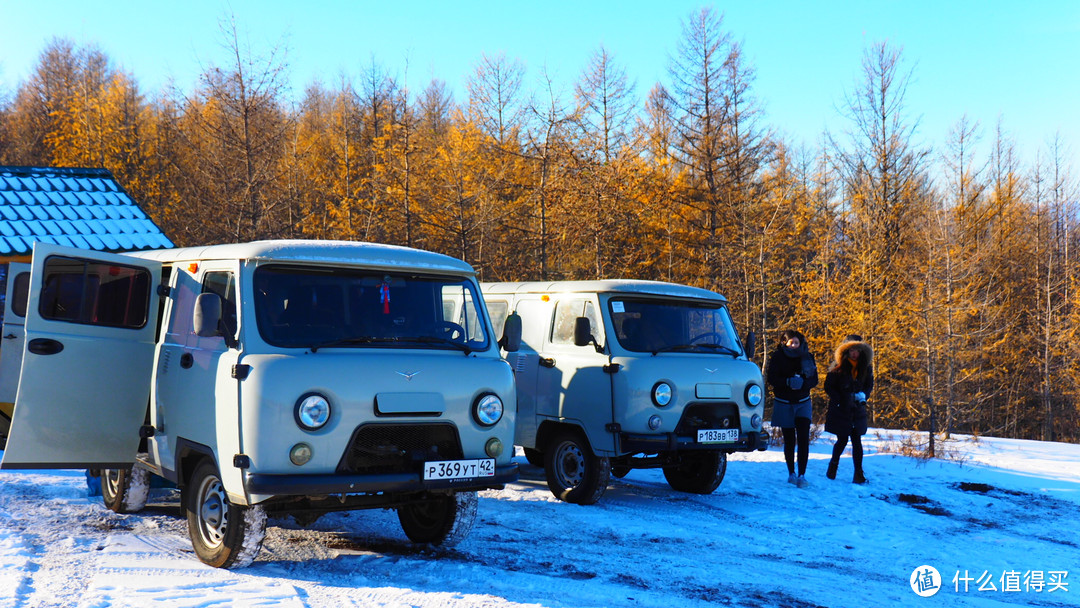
pixel 848 384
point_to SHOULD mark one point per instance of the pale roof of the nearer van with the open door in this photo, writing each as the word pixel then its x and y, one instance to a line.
pixel 331 253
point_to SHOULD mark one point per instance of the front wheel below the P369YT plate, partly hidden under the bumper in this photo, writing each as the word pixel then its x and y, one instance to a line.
pixel 443 520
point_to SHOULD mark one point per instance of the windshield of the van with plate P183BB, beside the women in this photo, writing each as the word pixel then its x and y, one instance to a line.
pixel 657 326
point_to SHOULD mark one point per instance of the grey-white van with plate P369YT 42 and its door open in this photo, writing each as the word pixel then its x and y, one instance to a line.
pixel 285 377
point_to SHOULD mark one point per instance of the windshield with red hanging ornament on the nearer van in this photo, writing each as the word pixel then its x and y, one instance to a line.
pixel 336 307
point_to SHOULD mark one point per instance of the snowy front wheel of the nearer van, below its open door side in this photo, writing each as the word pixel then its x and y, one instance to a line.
pixel 224 535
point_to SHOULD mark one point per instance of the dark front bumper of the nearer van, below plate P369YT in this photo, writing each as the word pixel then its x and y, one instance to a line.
pixel 312 485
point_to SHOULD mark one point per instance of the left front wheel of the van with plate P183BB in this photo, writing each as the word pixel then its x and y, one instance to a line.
pixel 576 475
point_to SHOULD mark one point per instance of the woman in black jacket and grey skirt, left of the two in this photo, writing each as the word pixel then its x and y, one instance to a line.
pixel 792 373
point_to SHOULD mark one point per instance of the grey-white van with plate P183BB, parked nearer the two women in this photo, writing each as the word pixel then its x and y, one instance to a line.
pixel 620 375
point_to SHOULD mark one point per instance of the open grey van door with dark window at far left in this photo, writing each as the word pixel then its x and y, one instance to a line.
pixel 87 363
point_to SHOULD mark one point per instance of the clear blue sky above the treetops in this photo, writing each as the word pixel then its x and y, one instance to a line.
pixel 990 60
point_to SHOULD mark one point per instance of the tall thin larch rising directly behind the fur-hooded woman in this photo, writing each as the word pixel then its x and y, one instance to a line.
pixel 885 192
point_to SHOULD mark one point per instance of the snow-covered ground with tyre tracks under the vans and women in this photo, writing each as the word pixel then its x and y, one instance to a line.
pixel 1003 514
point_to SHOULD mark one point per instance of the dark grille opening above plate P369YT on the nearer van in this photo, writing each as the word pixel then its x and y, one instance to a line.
pixel 399 449
